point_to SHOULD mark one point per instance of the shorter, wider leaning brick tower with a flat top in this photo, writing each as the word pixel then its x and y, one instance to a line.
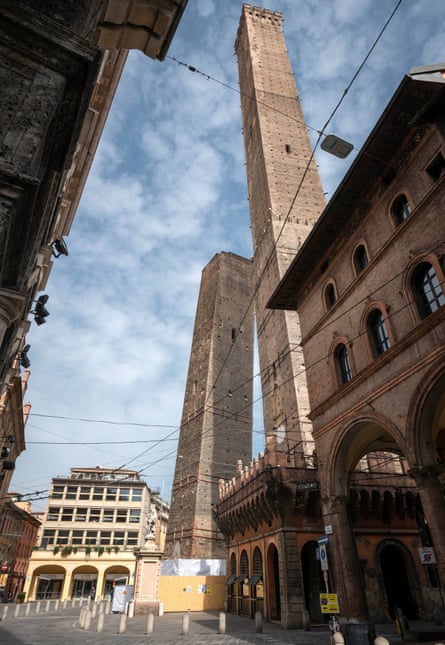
pixel 216 427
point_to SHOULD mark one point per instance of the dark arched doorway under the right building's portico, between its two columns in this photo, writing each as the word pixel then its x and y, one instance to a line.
pixel 397 584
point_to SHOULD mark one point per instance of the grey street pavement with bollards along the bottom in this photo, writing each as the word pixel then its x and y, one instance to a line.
pixel 62 627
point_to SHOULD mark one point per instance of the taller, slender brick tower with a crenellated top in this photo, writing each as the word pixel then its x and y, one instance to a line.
pixel 286 197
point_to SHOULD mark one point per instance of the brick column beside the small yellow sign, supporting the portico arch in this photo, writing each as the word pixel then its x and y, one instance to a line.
pixel 345 577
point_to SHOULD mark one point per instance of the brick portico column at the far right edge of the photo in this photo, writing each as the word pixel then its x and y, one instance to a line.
pixel 433 504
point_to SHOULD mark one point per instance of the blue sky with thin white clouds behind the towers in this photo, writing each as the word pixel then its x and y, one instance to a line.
pixel 167 191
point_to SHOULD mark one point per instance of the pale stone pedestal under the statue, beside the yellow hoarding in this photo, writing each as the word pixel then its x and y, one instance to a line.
pixel 147 579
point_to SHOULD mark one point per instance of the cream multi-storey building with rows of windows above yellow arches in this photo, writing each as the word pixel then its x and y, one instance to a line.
pixel 96 521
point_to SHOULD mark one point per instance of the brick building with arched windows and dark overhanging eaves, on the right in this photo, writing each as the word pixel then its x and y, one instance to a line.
pixel 372 314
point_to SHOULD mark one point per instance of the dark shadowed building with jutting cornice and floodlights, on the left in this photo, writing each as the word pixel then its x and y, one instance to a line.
pixel 58 74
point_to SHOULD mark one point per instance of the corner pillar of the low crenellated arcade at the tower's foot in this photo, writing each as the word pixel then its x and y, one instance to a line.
pixel 291 588
